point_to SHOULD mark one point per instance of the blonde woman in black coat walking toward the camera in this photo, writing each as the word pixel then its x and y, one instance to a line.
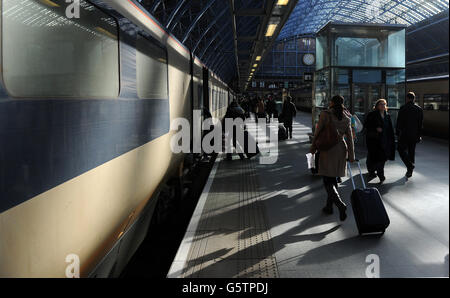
pixel 380 140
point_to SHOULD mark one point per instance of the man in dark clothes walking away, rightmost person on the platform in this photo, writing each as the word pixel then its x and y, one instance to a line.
pixel 409 131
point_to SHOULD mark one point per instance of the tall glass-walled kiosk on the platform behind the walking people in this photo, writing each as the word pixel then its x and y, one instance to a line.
pixel 361 62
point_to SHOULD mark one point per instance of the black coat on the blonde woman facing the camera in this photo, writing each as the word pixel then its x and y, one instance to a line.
pixel 381 146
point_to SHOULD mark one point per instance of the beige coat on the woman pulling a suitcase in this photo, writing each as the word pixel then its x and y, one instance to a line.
pixel 333 162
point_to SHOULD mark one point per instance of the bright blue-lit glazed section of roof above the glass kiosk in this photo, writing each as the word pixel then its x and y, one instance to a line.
pixel 310 15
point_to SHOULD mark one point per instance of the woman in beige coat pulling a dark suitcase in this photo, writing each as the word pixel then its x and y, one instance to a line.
pixel 332 162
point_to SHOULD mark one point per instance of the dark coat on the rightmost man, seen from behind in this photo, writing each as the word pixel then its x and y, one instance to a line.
pixel 409 122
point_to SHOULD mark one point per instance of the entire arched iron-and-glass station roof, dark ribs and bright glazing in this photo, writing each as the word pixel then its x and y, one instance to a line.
pixel 231 37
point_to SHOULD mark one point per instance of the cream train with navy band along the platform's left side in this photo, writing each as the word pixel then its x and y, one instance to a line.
pixel 86 105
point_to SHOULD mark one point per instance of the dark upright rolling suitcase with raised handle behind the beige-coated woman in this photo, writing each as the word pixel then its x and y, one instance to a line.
pixel 368 208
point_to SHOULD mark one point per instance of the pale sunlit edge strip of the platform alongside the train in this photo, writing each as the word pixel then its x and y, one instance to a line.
pixel 179 263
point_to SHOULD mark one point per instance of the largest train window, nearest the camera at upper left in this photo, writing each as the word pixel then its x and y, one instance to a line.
pixel 46 54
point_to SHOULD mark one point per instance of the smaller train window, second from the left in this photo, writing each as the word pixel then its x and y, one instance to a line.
pixel 151 69
